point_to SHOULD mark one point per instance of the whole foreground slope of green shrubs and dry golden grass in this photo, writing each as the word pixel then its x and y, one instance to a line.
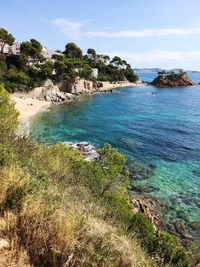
pixel 65 211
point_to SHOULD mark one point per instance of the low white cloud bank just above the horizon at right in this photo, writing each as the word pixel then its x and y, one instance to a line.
pixel 162 58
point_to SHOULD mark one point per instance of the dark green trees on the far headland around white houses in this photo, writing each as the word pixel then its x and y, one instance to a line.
pixel 30 68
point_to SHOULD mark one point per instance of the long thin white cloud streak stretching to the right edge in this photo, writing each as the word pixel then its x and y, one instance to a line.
pixel 144 33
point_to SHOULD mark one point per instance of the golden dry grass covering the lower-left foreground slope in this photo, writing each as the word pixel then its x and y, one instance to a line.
pixel 61 228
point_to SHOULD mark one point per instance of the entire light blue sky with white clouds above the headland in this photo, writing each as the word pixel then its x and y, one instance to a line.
pixel 146 33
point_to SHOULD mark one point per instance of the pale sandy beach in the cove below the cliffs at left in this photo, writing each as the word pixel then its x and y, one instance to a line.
pixel 27 106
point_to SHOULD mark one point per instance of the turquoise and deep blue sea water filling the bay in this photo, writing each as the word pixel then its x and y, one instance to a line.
pixel 161 130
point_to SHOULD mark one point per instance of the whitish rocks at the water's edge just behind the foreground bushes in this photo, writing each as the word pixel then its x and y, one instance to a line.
pixel 88 151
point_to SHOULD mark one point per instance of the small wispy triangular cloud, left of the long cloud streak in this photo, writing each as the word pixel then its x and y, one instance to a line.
pixel 71 28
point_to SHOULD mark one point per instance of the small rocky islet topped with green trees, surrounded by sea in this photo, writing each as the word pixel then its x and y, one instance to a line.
pixel 172 80
